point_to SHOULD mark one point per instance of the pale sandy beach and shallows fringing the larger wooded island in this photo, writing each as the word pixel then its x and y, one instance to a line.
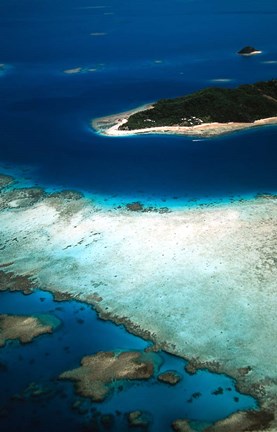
pixel 109 126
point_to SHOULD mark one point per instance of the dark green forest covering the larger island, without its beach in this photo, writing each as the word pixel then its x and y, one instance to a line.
pixel 245 104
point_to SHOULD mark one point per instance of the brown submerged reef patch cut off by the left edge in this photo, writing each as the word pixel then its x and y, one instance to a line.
pixel 25 328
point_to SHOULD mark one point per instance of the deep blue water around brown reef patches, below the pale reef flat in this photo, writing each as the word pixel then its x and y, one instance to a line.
pixel 82 333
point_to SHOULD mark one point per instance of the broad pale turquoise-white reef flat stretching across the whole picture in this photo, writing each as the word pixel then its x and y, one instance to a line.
pixel 199 282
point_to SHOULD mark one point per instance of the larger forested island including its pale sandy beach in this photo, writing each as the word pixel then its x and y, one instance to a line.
pixel 208 112
